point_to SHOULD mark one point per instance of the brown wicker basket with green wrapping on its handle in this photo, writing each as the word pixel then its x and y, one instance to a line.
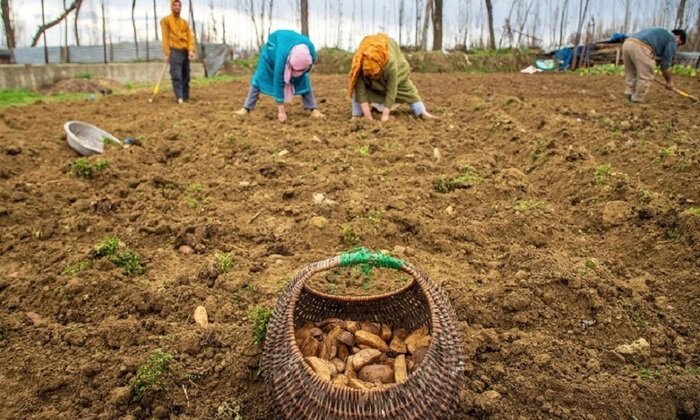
pixel 431 392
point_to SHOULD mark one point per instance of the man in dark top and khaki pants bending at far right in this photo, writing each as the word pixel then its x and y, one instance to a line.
pixel 639 53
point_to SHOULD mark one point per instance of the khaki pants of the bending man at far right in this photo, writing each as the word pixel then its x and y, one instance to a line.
pixel 639 68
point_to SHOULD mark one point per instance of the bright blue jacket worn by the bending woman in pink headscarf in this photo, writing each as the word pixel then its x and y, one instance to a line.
pixel 269 75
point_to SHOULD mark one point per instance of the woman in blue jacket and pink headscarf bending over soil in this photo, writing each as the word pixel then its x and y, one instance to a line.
pixel 282 72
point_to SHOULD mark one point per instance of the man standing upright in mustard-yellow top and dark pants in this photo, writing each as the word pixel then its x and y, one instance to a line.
pixel 178 49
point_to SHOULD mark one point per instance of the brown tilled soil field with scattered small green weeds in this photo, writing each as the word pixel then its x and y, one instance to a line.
pixel 563 223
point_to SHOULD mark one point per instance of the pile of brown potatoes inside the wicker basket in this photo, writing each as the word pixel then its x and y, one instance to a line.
pixel 359 354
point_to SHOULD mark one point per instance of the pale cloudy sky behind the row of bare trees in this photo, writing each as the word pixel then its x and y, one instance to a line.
pixel 464 20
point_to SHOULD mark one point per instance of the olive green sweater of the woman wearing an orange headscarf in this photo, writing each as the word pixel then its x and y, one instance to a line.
pixel 393 86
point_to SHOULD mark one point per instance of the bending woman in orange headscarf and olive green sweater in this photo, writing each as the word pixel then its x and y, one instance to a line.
pixel 380 75
